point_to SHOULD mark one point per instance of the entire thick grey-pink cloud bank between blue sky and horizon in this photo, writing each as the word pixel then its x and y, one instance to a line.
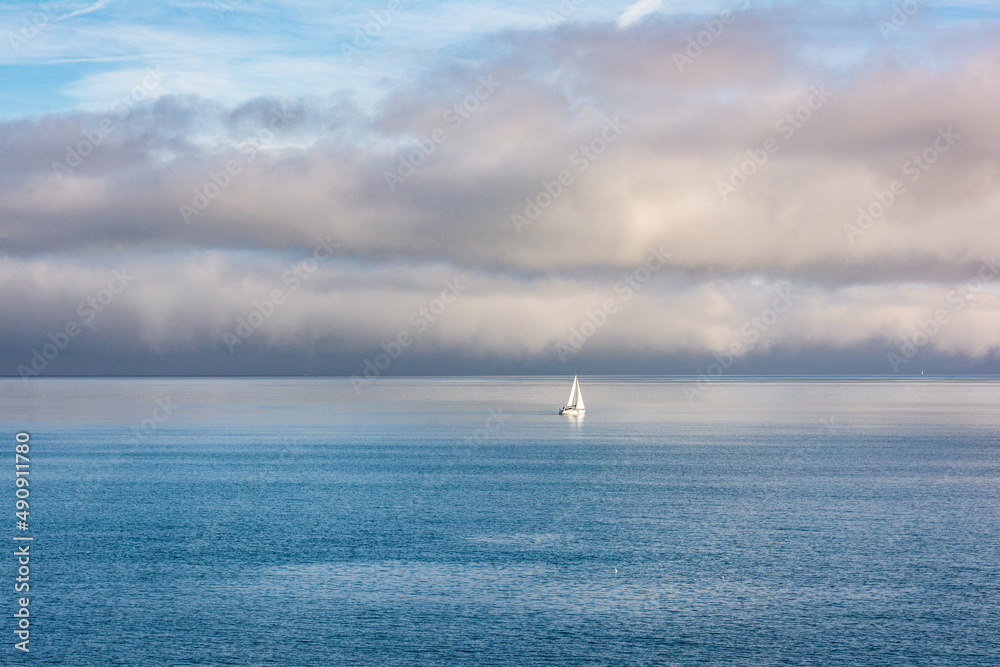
pixel 541 173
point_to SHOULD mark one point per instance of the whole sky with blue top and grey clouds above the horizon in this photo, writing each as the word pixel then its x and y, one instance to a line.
pixel 367 189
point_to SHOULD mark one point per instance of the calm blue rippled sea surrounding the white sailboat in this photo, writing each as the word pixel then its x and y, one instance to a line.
pixel 293 522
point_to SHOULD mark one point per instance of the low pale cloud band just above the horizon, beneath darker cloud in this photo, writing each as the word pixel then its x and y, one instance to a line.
pixel 347 310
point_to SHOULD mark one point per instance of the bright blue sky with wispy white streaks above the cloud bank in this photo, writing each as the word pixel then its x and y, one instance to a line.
pixel 67 55
